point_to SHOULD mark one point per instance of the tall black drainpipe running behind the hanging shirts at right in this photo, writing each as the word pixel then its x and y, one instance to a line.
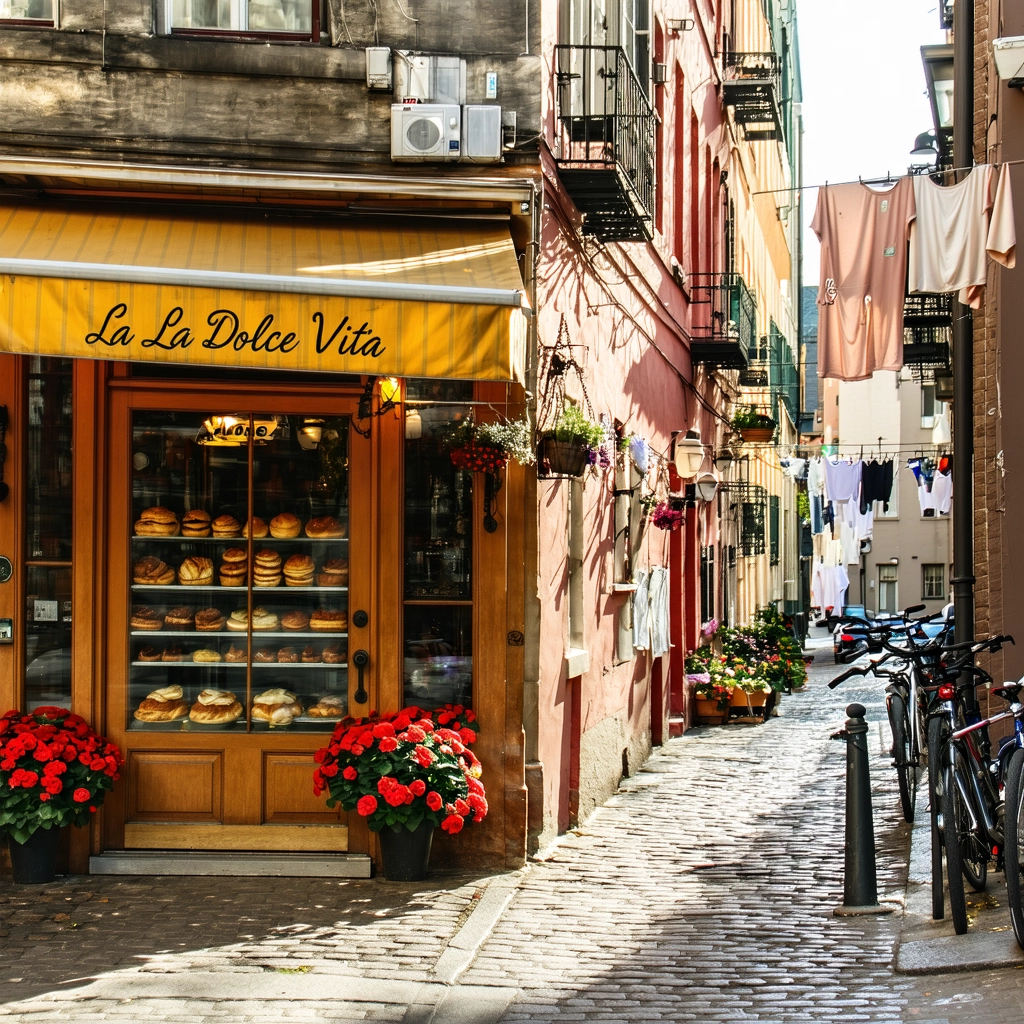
pixel 963 344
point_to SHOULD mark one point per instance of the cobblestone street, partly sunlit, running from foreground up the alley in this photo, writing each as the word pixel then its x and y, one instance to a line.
pixel 704 890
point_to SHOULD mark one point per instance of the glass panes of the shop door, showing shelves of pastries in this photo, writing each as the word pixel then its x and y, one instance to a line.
pixel 239 613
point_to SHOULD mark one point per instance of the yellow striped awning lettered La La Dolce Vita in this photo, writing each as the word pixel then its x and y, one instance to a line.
pixel 404 297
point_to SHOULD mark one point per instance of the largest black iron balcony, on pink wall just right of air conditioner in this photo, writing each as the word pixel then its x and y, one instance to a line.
pixel 606 129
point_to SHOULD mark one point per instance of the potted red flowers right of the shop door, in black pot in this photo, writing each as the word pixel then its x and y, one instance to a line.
pixel 406 774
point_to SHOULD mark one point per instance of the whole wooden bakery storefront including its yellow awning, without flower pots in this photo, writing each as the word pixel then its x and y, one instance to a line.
pixel 230 518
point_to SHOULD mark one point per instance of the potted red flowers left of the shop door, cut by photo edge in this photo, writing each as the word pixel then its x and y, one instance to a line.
pixel 55 772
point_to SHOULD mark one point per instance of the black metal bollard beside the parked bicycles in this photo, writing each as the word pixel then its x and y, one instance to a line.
pixel 861 894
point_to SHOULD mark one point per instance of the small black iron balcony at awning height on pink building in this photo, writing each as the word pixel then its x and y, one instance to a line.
pixel 726 321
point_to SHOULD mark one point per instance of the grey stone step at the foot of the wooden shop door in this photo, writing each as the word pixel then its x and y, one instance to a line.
pixel 304 866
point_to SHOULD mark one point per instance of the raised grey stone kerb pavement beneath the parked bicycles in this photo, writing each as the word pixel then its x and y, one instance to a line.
pixel 928 947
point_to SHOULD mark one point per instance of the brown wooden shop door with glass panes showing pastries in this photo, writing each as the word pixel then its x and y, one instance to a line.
pixel 239 574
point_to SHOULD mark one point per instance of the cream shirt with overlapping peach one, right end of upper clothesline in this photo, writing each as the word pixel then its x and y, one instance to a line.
pixel 956 227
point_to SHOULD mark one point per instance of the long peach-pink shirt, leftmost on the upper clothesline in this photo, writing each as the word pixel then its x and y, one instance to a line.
pixel 864 235
